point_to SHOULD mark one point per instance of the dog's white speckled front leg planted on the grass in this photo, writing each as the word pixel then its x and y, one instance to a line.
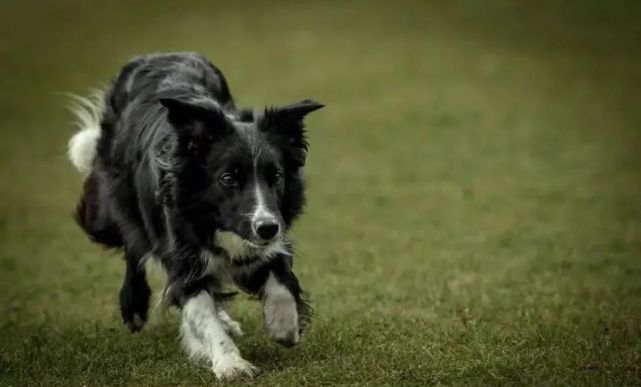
pixel 205 336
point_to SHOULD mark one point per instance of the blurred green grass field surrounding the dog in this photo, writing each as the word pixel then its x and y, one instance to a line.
pixel 475 190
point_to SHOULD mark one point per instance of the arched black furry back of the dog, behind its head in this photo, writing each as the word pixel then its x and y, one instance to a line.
pixel 132 108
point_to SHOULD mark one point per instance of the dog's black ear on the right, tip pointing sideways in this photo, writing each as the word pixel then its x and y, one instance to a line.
pixel 285 125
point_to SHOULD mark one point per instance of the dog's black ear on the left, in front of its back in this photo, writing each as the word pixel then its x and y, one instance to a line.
pixel 196 119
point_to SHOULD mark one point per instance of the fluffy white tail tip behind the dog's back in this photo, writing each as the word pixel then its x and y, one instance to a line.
pixel 88 112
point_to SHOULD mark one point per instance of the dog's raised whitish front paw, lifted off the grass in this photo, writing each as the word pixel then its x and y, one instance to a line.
pixel 281 322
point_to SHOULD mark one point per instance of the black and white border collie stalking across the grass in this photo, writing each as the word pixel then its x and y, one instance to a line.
pixel 176 173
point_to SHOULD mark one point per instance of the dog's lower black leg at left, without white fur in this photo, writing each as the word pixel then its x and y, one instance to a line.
pixel 135 292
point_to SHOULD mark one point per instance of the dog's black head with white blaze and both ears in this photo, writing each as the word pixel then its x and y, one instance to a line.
pixel 243 174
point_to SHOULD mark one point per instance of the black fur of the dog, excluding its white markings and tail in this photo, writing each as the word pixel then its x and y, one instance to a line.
pixel 170 133
